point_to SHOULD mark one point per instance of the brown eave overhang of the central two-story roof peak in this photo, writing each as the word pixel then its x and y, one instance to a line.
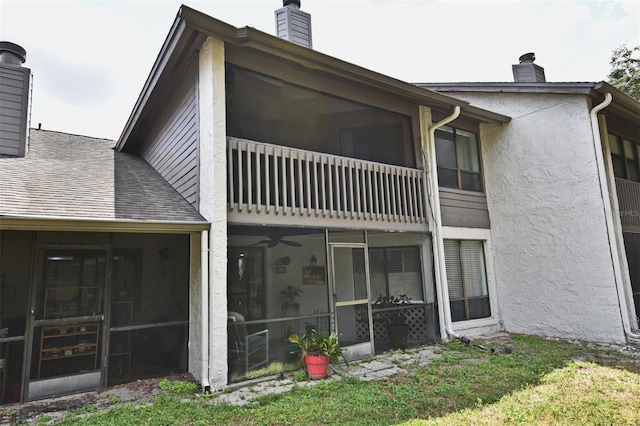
pixel 191 28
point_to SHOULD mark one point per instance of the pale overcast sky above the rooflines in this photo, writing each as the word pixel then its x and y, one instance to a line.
pixel 90 59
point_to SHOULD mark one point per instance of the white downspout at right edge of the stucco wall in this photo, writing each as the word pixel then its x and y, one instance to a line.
pixel 608 215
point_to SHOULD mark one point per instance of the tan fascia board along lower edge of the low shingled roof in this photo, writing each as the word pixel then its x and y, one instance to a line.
pixel 43 223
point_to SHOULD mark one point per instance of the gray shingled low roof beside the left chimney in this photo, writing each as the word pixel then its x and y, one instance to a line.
pixel 76 177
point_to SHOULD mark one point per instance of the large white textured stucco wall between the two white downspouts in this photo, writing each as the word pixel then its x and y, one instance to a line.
pixel 554 275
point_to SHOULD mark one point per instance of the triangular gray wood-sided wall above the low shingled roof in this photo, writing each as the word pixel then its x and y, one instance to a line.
pixel 172 144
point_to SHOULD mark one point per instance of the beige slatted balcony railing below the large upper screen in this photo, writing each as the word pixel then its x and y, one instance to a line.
pixel 271 179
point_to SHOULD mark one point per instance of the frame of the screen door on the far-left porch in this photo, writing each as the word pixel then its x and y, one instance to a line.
pixel 33 322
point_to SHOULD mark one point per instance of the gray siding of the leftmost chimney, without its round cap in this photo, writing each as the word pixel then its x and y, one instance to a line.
pixel 15 84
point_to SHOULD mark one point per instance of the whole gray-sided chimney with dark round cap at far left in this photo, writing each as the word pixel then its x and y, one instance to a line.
pixel 15 97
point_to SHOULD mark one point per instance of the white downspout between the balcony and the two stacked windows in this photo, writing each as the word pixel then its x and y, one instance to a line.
pixel 442 288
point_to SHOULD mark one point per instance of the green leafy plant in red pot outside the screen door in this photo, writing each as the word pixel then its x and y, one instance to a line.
pixel 318 350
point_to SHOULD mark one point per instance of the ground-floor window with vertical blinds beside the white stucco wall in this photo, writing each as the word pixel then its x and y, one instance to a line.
pixel 467 280
